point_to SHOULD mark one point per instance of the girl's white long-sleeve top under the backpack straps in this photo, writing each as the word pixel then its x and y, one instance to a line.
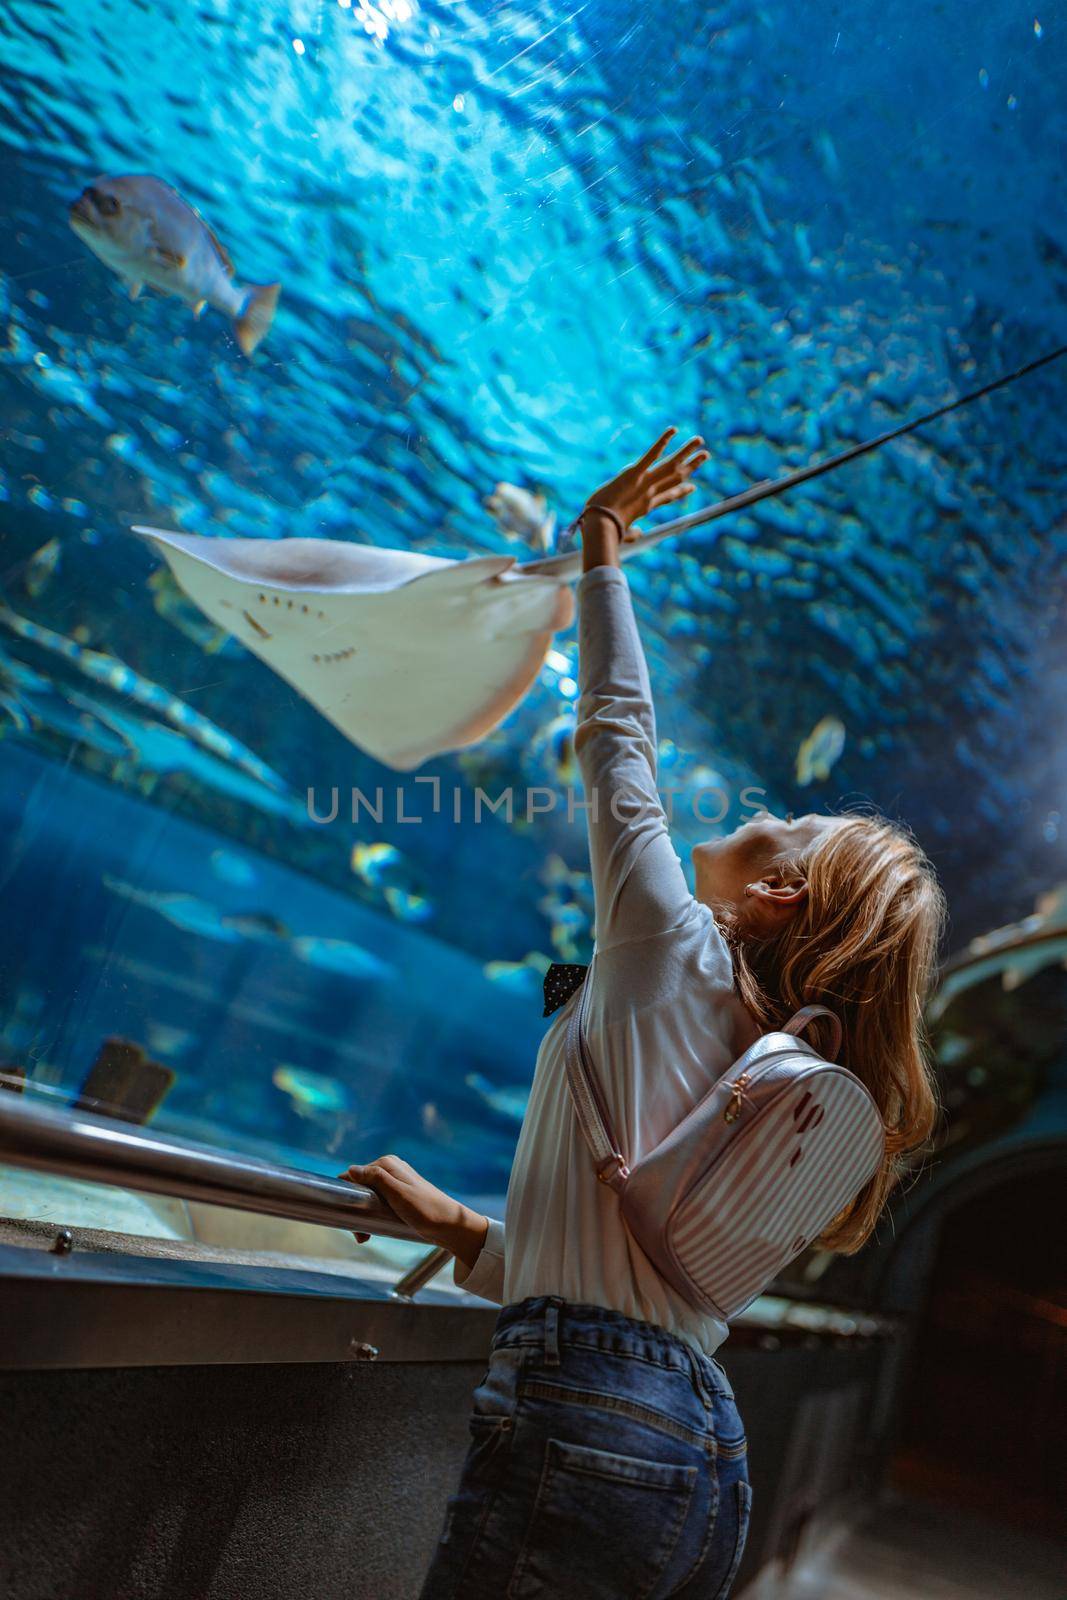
pixel 663 1020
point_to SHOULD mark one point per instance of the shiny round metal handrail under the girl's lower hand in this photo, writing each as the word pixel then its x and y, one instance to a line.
pixel 103 1151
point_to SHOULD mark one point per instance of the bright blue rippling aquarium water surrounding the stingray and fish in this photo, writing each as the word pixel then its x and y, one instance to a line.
pixel 514 244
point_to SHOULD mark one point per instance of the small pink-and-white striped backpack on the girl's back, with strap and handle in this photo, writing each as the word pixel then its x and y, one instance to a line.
pixel 751 1177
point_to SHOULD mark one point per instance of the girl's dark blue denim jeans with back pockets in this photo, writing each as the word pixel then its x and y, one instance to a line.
pixel 607 1463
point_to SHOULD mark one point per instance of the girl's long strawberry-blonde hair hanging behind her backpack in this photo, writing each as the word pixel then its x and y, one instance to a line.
pixel 866 946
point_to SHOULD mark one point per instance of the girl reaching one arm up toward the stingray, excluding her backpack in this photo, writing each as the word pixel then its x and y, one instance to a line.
pixel 609 1458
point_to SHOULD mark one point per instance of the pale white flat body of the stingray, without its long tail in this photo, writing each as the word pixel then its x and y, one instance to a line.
pixel 407 655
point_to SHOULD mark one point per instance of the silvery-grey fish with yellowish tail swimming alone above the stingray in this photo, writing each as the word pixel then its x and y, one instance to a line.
pixel 148 234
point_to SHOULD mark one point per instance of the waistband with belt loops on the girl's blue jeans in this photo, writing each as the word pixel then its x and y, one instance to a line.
pixel 551 1321
